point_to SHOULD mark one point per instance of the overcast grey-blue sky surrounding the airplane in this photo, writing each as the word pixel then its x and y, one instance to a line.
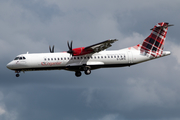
pixel 147 91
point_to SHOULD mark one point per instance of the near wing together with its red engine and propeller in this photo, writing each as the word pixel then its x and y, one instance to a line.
pixel 90 49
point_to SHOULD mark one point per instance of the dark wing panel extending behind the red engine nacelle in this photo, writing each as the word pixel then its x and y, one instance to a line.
pixel 100 46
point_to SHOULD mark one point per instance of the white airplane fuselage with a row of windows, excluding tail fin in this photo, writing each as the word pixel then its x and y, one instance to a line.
pixel 63 60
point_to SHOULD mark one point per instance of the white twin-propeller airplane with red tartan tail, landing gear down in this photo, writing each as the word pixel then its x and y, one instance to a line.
pixel 95 56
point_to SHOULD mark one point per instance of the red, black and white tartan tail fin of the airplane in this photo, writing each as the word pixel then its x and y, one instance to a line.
pixel 154 43
